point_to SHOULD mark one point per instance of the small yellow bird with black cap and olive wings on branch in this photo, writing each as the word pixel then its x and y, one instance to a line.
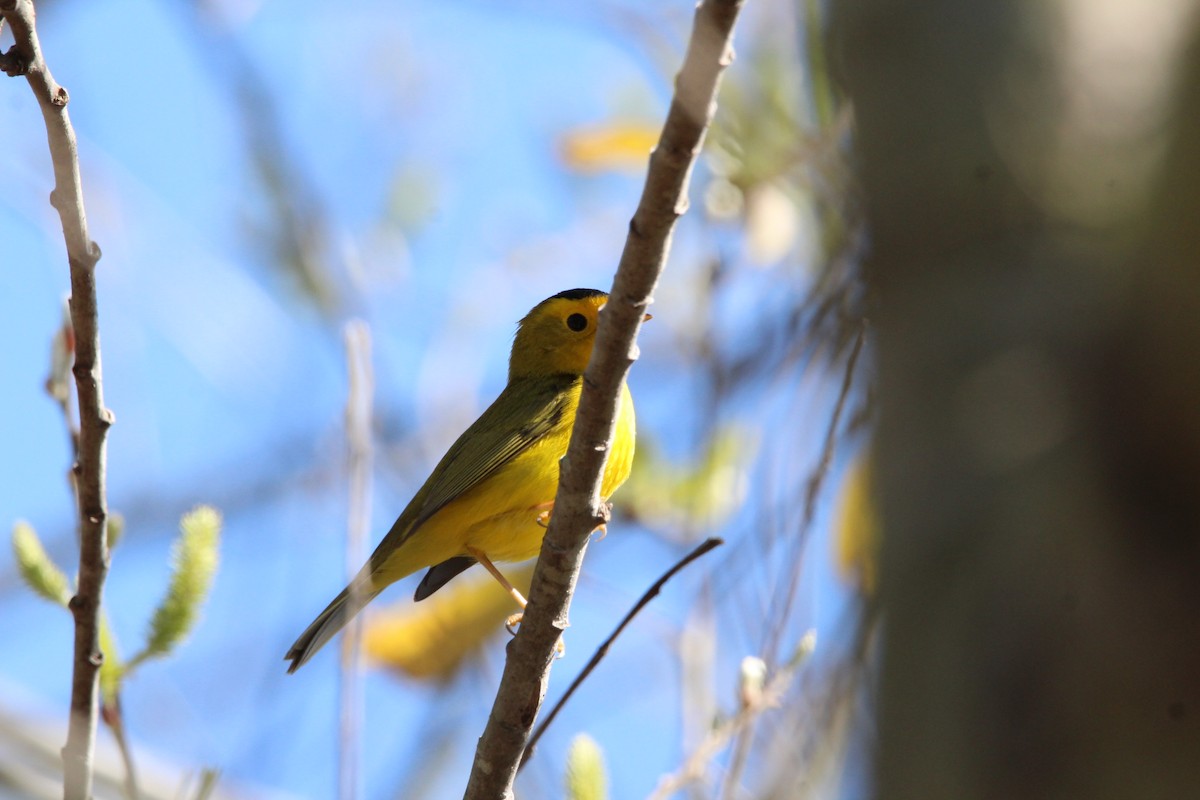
pixel 490 496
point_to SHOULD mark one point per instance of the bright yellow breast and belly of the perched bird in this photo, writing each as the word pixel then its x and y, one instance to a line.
pixel 501 516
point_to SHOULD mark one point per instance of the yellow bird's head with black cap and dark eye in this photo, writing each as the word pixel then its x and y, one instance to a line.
pixel 556 338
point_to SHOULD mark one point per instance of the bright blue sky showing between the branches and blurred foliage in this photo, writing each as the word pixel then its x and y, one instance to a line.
pixel 428 135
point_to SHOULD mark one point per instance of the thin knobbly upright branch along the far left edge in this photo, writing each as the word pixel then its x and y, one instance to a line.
pixel 26 58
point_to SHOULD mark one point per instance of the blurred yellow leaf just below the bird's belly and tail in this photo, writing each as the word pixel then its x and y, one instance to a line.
pixel 431 640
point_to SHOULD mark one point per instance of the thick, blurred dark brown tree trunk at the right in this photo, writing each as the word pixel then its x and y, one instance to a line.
pixel 1037 309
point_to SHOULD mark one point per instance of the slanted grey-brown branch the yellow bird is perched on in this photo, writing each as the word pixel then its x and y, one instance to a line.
pixel 578 506
